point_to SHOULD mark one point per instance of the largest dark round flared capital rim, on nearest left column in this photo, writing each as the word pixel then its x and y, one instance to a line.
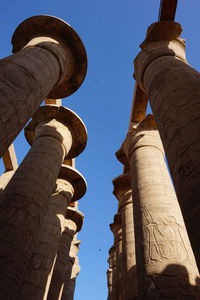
pixel 55 28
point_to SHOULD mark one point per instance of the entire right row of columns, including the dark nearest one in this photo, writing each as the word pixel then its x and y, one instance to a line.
pixel 165 235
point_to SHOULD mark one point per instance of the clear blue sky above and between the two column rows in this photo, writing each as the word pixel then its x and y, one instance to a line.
pixel 111 32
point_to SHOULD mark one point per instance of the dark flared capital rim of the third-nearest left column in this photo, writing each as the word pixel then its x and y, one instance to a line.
pixel 76 179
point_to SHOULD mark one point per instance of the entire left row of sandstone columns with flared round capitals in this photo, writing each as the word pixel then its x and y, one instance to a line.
pixel 39 219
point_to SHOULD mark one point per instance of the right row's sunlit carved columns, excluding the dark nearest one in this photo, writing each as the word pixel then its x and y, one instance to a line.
pixel 156 256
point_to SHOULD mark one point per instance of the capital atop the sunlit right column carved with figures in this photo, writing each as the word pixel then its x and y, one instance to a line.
pixel 143 134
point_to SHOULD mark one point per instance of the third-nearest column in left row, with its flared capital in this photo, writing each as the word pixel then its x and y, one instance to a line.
pixel 71 186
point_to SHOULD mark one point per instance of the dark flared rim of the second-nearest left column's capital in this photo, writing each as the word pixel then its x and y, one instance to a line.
pixel 65 116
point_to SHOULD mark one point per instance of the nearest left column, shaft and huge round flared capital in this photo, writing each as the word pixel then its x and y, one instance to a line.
pixel 51 61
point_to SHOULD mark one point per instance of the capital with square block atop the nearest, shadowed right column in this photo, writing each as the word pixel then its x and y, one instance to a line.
pixel 162 39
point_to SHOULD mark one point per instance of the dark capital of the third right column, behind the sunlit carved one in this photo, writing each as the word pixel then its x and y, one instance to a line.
pixel 121 184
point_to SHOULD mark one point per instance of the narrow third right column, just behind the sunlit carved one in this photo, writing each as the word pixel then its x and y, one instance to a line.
pixel 123 192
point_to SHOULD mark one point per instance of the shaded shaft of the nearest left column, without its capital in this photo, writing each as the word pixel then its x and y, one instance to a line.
pixel 26 78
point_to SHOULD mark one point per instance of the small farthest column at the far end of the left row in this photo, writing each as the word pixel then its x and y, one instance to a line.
pixel 73 270
